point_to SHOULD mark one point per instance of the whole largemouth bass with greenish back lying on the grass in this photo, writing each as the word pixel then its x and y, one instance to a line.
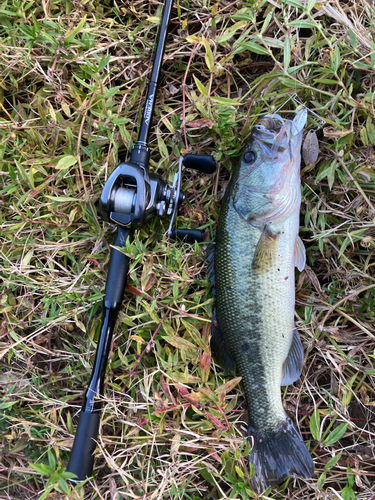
pixel 251 265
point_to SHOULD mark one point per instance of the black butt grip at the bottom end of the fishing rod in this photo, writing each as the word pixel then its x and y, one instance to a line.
pixel 81 460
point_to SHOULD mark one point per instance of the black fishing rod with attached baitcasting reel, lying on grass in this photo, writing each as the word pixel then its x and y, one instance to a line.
pixel 131 196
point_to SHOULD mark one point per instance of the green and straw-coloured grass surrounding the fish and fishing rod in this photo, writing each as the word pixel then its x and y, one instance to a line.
pixel 73 78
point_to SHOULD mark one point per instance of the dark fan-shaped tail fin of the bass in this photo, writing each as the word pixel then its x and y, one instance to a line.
pixel 278 454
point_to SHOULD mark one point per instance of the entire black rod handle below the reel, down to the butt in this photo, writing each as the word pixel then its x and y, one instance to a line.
pixel 82 459
